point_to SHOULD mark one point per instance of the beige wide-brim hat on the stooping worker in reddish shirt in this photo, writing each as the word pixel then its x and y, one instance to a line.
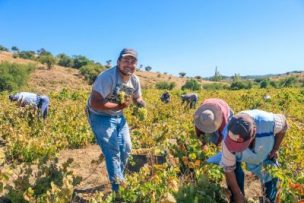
pixel 208 117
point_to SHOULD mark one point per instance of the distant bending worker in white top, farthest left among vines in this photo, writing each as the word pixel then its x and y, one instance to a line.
pixel 38 102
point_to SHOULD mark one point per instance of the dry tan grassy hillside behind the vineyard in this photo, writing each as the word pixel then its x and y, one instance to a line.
pixel 43 80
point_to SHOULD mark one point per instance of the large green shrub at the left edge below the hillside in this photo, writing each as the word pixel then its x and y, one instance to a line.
pixel 13 76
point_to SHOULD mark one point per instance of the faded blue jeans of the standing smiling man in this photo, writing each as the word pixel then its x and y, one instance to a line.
pixel 113 137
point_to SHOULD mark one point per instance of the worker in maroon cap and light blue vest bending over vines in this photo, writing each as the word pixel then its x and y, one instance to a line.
pixel 254 137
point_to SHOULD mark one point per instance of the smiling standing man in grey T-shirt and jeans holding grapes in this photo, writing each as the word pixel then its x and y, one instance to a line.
pixel 105 113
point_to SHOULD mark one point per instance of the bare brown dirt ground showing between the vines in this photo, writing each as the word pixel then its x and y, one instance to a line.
pixel 89 164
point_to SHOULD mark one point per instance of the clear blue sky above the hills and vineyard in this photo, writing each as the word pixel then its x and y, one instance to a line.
pixel 248 37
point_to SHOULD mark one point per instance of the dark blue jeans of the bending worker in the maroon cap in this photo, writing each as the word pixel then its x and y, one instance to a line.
pixel 270 186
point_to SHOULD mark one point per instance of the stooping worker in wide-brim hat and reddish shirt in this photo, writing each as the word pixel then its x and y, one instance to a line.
pixel 210 120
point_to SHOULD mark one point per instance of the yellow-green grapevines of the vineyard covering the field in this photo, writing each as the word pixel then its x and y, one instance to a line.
pixel 29 149
